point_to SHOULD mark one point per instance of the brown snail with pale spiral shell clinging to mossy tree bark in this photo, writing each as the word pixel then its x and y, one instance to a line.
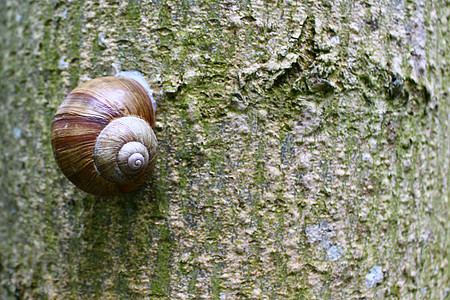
pixel 103 135
